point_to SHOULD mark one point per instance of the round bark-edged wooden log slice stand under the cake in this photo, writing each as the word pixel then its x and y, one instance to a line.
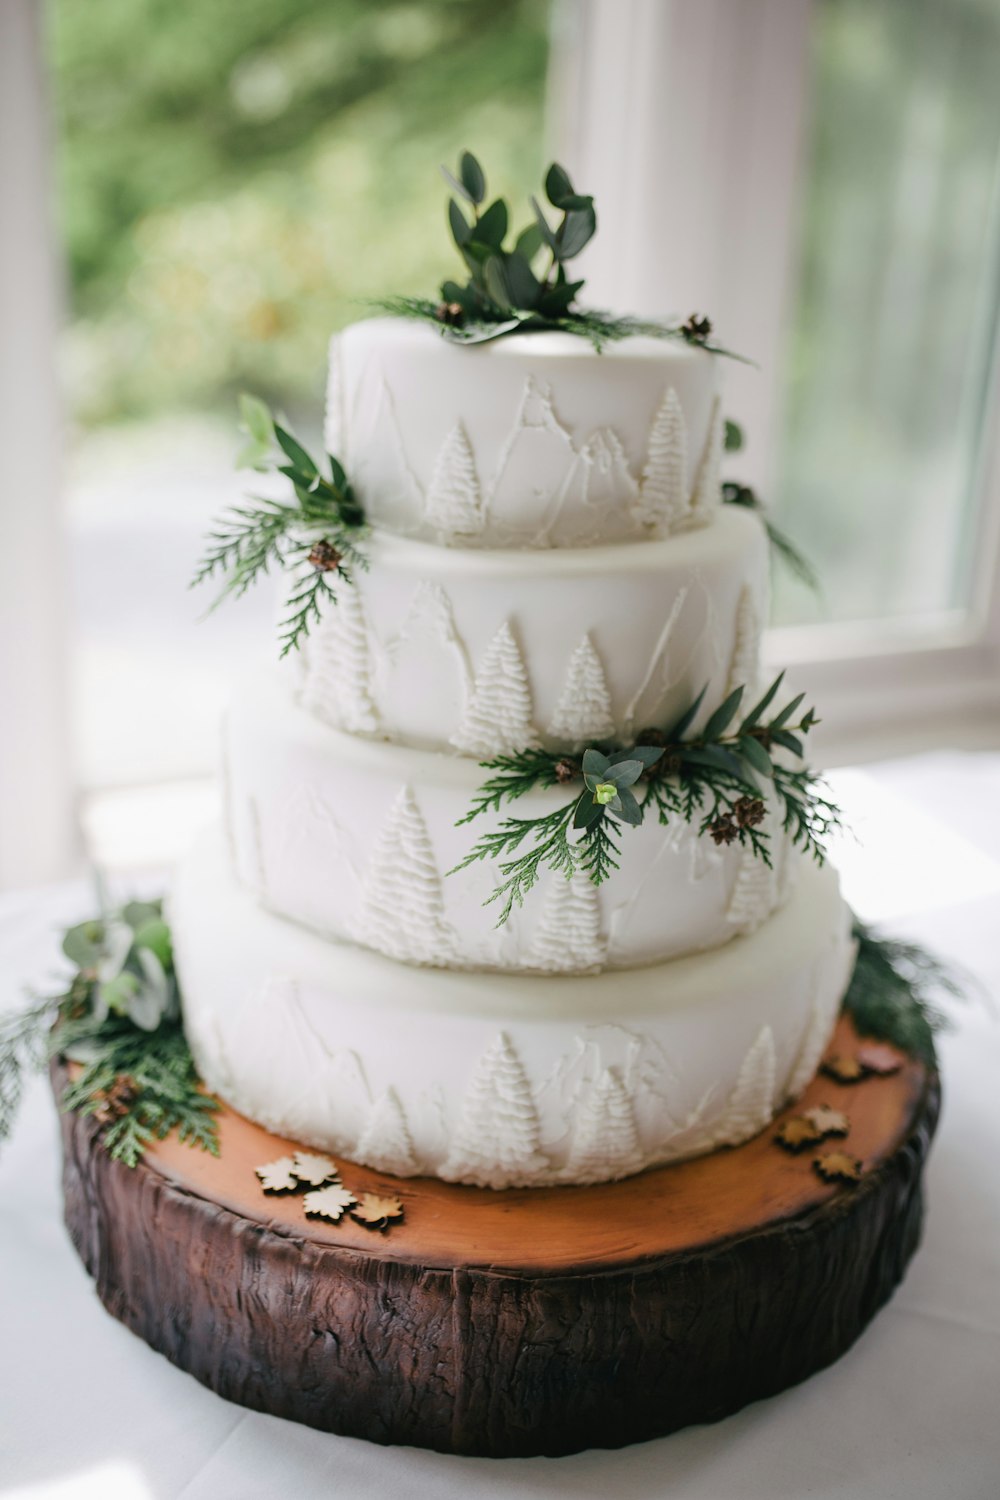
pixel 519 1322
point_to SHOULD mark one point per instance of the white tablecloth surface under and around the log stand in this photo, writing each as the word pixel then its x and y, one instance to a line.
pixel 911 1414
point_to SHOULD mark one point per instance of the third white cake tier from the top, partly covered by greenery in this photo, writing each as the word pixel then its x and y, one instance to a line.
pixel 383 880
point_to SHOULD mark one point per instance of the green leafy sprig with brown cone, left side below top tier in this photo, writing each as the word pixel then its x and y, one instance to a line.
pixel 316 538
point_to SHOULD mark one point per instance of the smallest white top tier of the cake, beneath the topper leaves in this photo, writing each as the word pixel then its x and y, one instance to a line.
pixel 530 442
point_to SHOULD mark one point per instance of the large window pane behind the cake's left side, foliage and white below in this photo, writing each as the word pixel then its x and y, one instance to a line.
pixel 236 181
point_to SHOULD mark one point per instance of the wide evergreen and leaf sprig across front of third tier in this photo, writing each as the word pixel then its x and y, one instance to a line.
pixel 713 779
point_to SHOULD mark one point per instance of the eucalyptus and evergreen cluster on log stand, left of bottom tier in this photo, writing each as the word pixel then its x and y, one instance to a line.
pixel 119 1022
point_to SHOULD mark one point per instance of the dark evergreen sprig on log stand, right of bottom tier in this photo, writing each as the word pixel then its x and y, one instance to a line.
pixel 893 992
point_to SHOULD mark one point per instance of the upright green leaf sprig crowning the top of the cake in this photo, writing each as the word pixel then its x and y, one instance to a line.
pixel 525 286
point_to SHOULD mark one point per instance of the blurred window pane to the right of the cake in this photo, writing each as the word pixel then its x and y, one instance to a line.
pixel 896 314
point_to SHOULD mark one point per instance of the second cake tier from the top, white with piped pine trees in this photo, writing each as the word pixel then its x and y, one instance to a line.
pixel 663 620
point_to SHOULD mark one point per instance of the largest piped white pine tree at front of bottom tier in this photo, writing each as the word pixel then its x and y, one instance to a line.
pixel 497 1144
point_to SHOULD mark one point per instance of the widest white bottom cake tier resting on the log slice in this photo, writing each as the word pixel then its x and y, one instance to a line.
pixel 503 1081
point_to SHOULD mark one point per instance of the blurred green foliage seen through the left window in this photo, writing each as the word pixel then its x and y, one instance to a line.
pixel 238 176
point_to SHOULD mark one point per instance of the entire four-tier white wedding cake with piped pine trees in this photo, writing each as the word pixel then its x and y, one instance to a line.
pixel 549 568
